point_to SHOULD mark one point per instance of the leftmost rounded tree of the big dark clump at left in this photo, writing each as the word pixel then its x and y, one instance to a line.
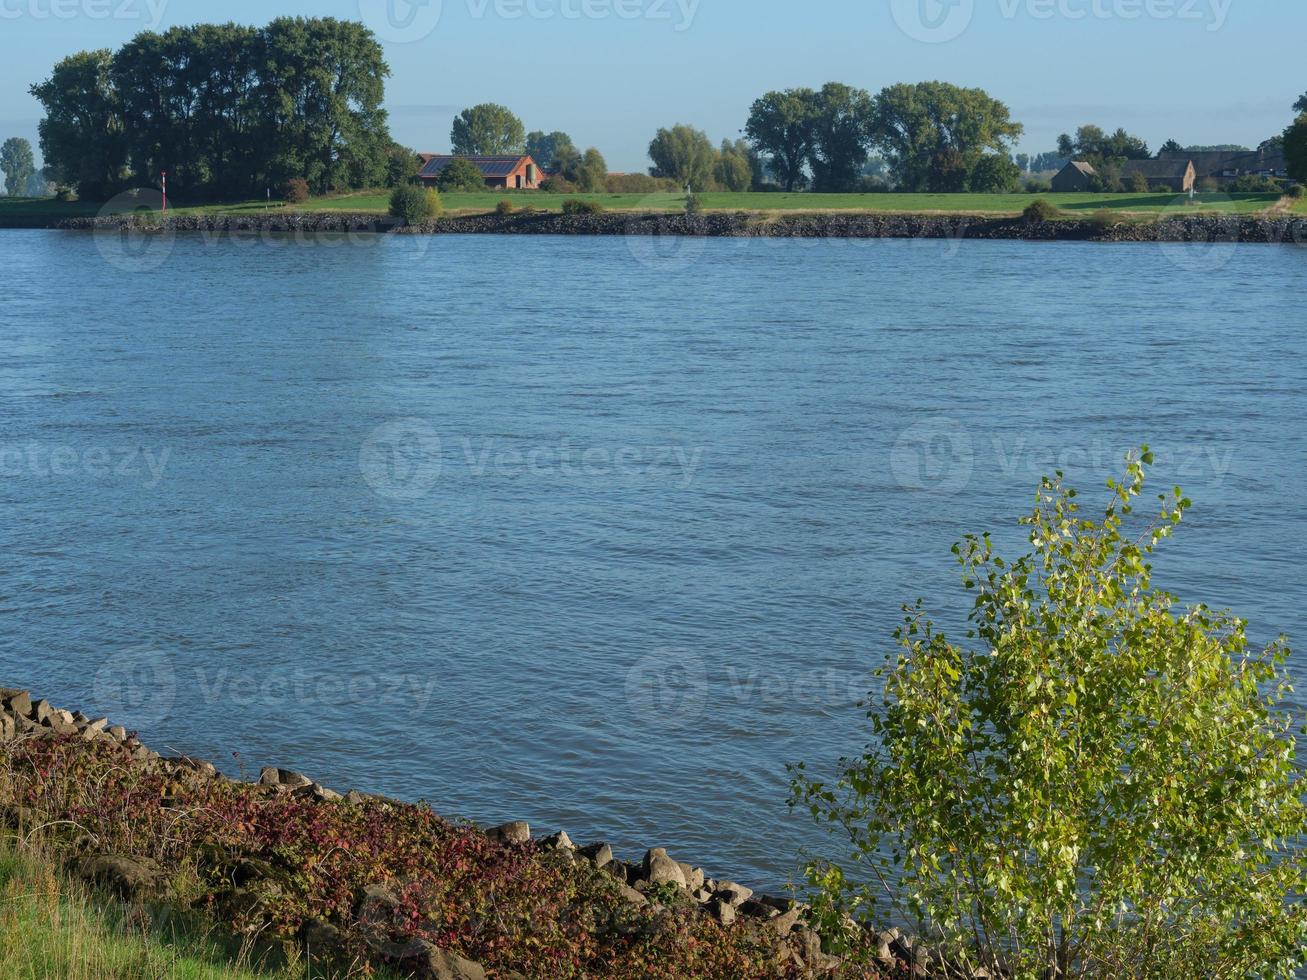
pixel 82 137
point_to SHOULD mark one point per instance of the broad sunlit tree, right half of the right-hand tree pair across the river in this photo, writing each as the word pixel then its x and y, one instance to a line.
pixel 919 129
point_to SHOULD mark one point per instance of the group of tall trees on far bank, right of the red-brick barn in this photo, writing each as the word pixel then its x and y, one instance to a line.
pixel 931 137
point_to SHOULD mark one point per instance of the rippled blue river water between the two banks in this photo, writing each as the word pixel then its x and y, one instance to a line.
pixel 598 534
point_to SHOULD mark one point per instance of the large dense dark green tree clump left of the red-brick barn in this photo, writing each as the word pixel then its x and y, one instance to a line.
pixel 227 110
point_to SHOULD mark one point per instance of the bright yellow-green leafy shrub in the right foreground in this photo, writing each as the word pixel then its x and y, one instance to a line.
pixel 1104 786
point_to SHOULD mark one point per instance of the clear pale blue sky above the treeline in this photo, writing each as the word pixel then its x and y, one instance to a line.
pixel 611 73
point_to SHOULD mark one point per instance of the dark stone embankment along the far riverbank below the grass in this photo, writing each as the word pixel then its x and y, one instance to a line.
pixel 1172 228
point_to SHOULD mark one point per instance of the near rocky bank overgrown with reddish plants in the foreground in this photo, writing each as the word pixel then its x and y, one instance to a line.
pixel 649 902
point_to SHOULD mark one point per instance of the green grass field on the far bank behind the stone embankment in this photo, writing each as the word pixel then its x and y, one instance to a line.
pixel 1071 204
